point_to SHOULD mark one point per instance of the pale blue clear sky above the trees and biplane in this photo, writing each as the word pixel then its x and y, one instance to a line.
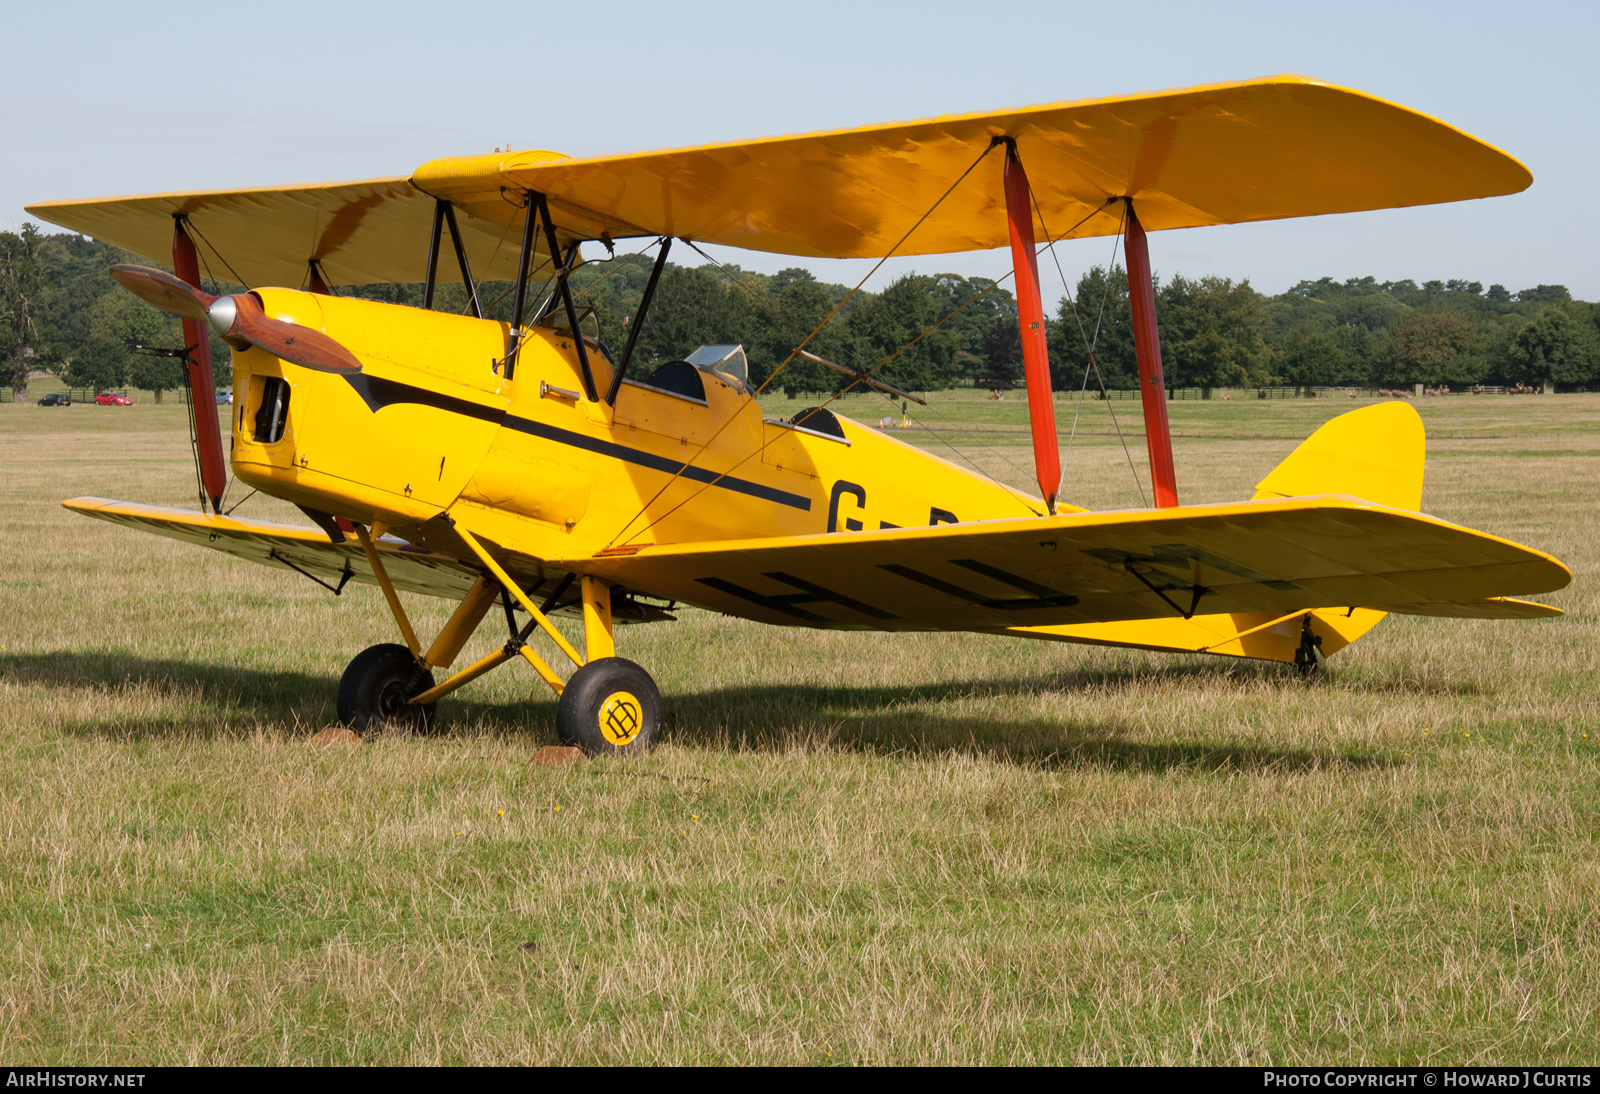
pixel 114 98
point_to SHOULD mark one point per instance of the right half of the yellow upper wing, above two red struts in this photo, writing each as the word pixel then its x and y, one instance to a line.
pixel 1220 154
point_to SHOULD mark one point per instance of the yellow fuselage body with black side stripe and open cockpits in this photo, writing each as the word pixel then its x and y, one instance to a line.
pixel 431 426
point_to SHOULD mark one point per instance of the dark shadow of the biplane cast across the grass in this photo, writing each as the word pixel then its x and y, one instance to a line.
pixel 215 703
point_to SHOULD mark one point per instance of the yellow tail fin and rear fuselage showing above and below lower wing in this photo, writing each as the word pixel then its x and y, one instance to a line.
pixel 1375 453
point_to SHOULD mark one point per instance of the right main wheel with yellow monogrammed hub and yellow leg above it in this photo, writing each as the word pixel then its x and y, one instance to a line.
pixel 610 706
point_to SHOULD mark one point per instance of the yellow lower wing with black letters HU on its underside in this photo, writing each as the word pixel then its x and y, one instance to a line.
pixel 1271 557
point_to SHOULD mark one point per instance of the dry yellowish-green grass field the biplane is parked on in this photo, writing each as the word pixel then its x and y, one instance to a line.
pixel 852 848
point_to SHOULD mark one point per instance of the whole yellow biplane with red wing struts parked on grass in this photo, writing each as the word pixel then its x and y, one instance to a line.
pixel 522 469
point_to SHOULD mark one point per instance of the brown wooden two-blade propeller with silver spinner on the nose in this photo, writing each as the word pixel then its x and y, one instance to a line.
pixel 238 317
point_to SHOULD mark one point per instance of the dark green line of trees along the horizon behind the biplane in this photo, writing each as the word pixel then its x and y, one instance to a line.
pixel 60 313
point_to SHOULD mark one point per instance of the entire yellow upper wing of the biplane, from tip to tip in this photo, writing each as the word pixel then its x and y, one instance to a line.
pixel 1218 154
